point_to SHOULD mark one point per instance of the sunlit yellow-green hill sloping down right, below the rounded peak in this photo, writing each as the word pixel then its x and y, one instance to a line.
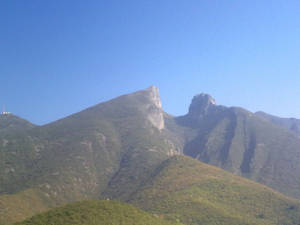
pixel 194 193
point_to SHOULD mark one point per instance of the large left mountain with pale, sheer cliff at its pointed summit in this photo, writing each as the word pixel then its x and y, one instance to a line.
pixel 115 144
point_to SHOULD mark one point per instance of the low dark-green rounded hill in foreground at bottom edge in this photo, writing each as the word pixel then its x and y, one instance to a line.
pixel 96 213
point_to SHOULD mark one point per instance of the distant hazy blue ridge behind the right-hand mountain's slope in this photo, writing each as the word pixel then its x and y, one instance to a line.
pixel 291 124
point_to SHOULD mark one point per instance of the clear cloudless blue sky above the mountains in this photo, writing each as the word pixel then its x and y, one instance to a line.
pixel 58 57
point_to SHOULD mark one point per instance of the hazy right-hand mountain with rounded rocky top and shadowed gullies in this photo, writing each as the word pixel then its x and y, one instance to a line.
pixel 243 143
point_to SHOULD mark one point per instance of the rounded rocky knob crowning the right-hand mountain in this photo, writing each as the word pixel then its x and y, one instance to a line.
pixel 201 104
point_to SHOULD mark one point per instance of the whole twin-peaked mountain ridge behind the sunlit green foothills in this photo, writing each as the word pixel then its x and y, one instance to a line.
pixel 111 150
